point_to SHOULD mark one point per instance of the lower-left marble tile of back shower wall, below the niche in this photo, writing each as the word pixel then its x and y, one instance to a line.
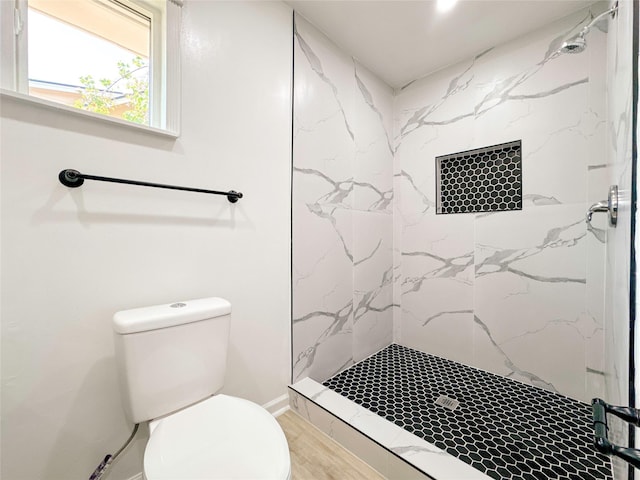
pixel 437 286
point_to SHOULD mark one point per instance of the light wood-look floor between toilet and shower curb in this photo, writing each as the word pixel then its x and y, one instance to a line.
pixel 315 456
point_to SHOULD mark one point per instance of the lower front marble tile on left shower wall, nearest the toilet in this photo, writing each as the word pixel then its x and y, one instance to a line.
pixel 323 301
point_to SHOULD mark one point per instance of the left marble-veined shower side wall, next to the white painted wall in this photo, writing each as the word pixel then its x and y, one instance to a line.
pixel 342 208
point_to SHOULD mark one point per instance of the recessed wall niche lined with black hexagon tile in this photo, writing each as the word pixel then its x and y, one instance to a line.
pixel 486 179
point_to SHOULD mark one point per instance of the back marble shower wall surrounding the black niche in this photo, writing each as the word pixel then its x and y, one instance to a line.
pixel 519 293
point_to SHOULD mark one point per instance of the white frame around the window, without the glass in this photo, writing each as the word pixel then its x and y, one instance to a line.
pixel 164 62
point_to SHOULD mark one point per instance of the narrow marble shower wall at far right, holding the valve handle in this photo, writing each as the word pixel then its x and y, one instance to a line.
pixel 618 171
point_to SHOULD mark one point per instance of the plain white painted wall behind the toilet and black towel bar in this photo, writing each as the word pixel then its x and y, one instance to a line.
pixel 70 259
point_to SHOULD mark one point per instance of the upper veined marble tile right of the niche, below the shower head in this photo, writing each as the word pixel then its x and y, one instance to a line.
pixel 542 102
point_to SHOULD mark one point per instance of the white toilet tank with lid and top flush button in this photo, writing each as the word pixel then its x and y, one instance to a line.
pixel 170 356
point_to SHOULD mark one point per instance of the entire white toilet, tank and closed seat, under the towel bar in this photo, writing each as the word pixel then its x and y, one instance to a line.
pixel 171 361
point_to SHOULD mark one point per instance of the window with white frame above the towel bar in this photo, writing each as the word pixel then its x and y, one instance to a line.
pixel 111 57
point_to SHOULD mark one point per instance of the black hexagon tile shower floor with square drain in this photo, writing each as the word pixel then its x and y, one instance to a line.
pixel 504 428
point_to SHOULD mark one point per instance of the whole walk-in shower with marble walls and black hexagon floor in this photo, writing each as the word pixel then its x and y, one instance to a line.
pixel 463 302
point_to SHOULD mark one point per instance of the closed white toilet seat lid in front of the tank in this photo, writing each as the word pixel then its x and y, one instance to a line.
pixel 221 437
